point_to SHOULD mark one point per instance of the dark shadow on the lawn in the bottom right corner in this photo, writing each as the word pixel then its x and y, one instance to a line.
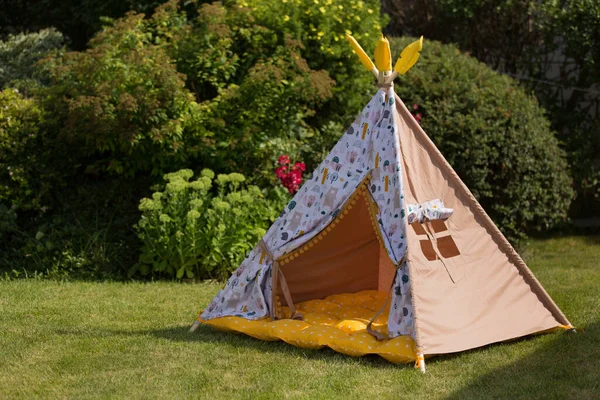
pixel 568 366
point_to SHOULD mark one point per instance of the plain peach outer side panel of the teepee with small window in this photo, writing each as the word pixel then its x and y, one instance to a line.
pixel 494 297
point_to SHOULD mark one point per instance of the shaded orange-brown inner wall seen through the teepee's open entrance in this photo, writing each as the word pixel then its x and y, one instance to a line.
pixel 344 261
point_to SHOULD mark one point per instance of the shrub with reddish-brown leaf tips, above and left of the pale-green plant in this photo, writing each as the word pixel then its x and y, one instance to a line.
pixel 121 102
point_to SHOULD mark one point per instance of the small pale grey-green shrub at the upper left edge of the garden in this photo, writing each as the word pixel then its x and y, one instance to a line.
pixel 19 54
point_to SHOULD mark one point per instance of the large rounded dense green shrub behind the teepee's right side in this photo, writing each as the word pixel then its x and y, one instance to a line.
pixel 493 133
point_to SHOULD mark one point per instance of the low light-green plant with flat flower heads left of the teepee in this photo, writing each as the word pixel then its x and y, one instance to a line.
pixel 187 230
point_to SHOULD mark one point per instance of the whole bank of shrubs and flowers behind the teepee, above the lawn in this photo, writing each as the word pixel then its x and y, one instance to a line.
pixel 132 132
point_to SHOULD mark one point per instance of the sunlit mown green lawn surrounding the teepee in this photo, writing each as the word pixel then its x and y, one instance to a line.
pixel 130 340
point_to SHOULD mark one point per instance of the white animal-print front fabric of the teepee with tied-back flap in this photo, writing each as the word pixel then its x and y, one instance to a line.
pixel 370 145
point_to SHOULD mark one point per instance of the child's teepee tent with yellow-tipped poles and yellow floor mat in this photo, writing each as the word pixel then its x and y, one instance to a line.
pixel 384 251
